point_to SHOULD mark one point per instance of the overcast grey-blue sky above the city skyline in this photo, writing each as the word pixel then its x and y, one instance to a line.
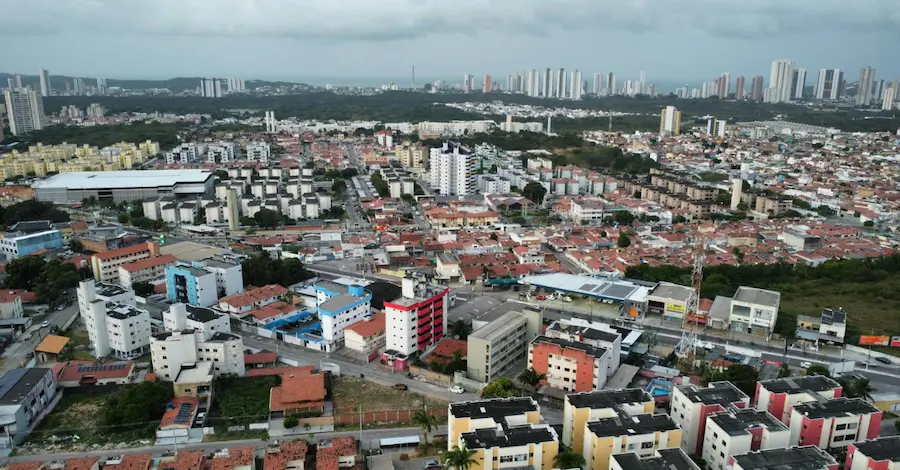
pixel 672 40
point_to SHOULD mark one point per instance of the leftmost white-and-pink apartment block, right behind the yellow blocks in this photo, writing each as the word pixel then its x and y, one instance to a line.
pixel 692 405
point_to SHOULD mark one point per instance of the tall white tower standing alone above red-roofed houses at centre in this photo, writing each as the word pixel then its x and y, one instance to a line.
pixel 453 170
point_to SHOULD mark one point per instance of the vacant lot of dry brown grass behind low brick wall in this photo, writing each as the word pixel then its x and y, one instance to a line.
pixel 351 392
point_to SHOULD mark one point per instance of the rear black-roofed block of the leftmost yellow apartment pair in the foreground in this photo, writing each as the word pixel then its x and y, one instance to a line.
pixel 469 416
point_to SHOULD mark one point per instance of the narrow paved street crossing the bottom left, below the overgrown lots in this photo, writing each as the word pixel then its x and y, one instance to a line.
pixel 368 437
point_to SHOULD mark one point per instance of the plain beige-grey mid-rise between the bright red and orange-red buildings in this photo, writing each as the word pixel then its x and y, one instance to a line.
pixel 496 347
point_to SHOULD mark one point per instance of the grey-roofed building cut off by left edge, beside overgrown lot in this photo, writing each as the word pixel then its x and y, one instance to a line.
pixel 24 395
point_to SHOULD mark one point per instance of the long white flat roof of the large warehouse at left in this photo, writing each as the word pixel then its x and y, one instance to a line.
pixel 122 179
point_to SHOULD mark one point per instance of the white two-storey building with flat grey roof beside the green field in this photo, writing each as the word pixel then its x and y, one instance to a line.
pixel 754 311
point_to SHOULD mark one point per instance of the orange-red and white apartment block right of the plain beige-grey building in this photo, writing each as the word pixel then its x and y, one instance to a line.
pixel 570 366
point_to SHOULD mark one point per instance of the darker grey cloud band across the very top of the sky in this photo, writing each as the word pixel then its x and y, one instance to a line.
pixel 385 20
